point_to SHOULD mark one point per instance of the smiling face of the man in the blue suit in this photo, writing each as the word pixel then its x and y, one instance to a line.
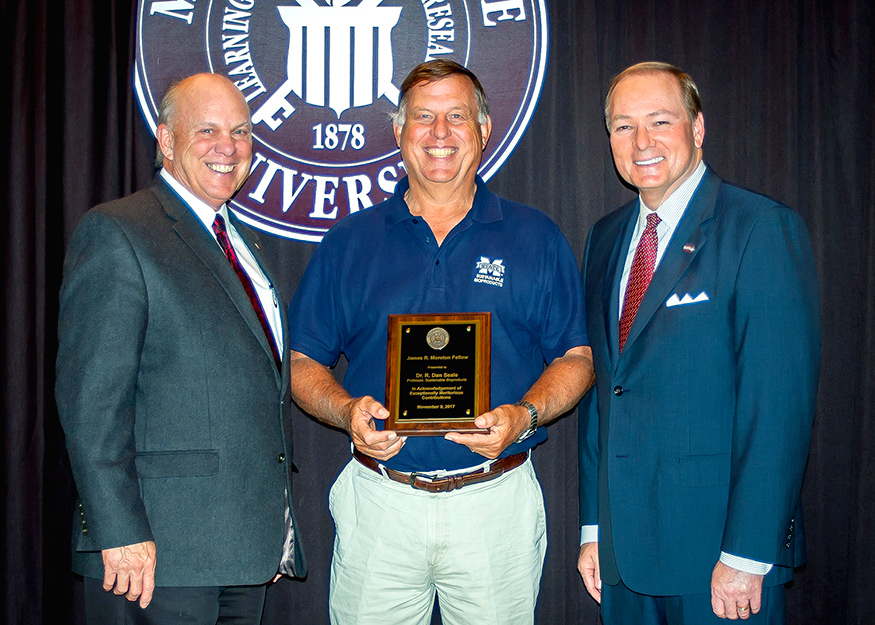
pixel 655 144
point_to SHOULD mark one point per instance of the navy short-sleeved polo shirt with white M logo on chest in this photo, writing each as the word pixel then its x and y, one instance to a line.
pixel 384 261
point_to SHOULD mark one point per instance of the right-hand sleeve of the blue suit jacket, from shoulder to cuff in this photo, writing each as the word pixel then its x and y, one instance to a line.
pixel 777 342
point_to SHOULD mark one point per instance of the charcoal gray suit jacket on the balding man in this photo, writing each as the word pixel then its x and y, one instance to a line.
pixel 177 420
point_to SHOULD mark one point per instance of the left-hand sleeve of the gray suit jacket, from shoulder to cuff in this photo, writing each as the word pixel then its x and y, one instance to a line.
pixel 102 327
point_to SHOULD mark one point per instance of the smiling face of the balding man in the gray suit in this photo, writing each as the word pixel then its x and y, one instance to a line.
pixel 207 144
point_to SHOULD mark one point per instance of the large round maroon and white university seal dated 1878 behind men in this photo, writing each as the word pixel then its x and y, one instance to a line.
pixel 322 76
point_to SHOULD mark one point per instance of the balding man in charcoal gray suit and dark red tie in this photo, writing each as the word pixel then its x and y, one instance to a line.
pixel 172 385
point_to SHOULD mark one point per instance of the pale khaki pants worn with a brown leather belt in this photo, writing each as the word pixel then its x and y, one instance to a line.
pixel 480 548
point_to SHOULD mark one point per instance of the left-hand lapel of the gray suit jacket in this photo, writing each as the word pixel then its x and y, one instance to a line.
pixel 191 230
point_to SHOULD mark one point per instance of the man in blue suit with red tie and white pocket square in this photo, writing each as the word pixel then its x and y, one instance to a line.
pixel 702 313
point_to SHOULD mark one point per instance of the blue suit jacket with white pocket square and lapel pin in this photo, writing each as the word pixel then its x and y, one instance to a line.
pixel 696 439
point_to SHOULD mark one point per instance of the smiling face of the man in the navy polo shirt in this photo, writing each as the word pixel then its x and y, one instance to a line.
pixel 441 140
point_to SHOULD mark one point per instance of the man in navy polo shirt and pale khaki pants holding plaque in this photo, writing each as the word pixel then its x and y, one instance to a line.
pixel 442 244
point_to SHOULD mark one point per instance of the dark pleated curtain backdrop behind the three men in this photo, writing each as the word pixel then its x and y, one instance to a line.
pixel 787 87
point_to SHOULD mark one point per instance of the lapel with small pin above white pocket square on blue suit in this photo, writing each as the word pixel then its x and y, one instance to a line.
pixel 693 230
